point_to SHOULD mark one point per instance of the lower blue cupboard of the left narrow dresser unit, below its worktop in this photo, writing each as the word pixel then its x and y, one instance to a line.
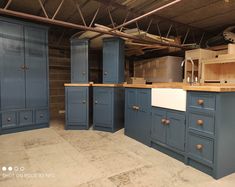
pixel 77 107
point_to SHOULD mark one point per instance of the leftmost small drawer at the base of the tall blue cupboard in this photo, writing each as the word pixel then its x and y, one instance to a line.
pixel 9 119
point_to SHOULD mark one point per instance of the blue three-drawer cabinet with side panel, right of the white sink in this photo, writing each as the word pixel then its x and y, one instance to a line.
pixel 210 132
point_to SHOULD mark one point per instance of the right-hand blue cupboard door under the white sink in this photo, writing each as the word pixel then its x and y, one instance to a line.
pixel 176 130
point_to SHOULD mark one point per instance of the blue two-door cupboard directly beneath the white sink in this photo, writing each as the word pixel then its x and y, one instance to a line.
pixel 168 129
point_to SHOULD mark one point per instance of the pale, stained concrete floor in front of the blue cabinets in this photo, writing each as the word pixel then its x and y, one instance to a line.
pixel 55 157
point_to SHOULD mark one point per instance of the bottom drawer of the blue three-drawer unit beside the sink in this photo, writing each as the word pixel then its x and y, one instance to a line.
pixel 201 148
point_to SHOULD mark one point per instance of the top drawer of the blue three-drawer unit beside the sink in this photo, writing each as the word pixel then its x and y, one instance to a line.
pixel 201 100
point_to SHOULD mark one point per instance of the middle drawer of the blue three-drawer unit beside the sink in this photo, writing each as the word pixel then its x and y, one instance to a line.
pixel 202 122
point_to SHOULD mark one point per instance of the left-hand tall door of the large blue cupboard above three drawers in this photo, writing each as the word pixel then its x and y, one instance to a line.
pixel 12 75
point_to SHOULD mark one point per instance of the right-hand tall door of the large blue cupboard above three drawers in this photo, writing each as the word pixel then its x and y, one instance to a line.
pixel 36 67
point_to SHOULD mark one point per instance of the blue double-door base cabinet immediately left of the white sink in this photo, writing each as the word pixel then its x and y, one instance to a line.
pixel 138 114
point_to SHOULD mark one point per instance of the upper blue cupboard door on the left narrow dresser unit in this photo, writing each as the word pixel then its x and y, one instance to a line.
pixel 79 61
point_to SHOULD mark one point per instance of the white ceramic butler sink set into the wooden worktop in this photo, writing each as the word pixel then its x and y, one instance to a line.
pixel 171 98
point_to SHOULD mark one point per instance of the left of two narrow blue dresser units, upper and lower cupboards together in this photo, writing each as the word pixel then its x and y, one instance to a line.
pixel 78 97
